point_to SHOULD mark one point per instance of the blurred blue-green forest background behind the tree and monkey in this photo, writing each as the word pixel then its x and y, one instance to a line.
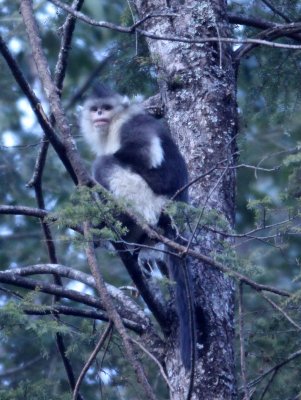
pixel 266 240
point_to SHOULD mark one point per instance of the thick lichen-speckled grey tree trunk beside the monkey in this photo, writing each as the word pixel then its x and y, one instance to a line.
pixel 198 88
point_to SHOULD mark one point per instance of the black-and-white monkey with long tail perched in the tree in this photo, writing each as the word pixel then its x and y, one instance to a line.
pixel 139 162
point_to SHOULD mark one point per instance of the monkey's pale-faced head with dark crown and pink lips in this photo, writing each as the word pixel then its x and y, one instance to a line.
pixel 99 111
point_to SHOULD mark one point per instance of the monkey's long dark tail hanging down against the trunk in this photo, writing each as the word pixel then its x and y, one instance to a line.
pixel 184 299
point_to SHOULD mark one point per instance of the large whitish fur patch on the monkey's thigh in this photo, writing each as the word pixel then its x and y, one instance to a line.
pixel 132 188
